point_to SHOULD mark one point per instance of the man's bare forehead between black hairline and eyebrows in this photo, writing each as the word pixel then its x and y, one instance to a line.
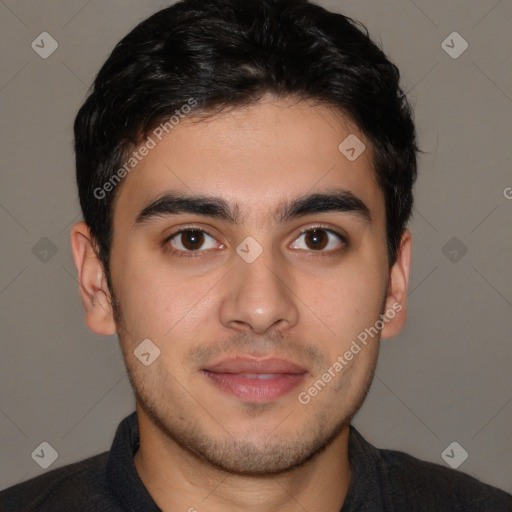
pixel 255 157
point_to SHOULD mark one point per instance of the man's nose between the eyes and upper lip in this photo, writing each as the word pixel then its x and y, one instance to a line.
pixel 259 296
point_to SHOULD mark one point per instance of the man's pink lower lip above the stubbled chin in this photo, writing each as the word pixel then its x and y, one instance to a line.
pixel 256 390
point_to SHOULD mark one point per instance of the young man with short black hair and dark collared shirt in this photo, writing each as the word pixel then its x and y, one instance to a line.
pixel 245 171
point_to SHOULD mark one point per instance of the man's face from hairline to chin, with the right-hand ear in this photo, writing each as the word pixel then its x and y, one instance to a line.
pixel 253 298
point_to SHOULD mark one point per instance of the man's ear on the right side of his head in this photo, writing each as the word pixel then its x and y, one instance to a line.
pixel 396 300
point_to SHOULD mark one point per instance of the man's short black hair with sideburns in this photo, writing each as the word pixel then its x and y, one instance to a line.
pixel 220 54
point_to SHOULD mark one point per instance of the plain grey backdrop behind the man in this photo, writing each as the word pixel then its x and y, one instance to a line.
pixel 446 378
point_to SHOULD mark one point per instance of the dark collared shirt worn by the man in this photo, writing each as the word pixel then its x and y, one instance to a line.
pixel 382 480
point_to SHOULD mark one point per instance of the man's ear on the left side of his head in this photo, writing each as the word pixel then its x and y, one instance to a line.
pixel 99 315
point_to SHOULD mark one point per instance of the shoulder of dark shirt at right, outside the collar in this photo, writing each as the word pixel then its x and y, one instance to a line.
pixel 442 488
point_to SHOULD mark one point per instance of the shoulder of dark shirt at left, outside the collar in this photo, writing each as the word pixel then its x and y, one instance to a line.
pixel 81 484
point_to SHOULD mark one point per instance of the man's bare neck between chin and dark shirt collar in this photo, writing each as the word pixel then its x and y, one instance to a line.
pixel 179 480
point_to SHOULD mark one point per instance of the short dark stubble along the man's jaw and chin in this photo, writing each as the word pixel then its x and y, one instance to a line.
pixel 280 453
